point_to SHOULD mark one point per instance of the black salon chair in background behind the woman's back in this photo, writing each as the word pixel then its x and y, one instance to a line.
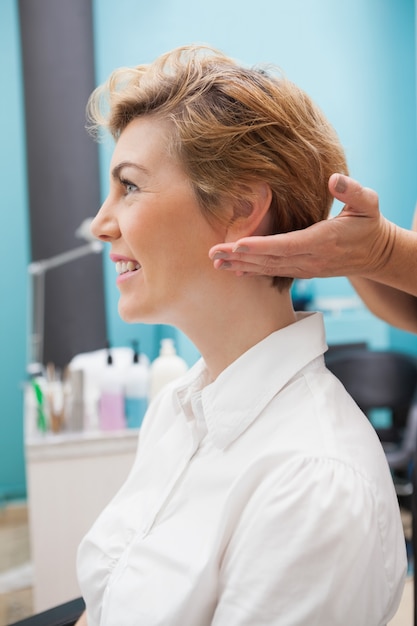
pixel 384 380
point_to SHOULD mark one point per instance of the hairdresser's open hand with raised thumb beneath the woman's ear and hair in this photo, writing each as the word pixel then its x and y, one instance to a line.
pixel 358 242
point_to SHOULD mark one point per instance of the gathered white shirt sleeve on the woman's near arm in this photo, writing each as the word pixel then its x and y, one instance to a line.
pixel 316 545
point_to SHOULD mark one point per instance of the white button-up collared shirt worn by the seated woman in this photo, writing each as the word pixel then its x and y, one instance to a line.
pixel 263 498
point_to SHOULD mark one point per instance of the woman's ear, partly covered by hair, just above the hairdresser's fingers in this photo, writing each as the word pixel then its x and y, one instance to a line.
pixel 251 213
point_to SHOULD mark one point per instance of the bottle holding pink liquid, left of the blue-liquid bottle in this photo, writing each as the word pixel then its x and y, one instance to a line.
pixel 111 402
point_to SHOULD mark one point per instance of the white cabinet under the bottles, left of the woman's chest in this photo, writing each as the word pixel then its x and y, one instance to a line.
pixel 70 479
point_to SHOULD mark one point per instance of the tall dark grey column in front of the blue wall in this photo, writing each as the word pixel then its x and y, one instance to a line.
pixel 63 171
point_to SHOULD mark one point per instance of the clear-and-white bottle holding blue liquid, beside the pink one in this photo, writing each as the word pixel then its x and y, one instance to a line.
pixel 136 389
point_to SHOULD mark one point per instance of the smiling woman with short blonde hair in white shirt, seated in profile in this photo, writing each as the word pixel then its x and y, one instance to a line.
pixel 260 493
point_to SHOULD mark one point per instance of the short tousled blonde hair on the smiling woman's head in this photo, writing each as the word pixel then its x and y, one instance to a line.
pixel 231 126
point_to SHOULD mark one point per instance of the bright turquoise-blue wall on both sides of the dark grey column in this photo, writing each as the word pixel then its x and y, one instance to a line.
pixel 356 59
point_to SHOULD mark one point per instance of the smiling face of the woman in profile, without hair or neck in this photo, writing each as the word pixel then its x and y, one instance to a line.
pixel 159 237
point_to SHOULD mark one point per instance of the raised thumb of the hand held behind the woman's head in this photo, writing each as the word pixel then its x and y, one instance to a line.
pixel 359 201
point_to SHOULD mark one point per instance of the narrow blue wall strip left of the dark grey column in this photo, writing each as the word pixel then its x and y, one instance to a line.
pixel 15 255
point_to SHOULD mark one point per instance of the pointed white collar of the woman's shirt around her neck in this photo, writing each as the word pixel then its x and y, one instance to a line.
pixel 230 404
